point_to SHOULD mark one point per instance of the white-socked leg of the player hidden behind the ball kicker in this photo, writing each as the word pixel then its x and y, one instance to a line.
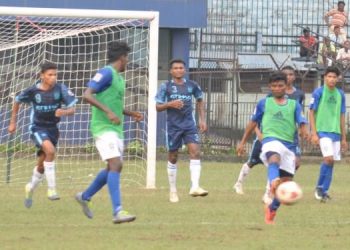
pixel 253 160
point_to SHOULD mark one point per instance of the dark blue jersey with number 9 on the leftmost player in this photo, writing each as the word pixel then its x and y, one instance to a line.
pixel 45 103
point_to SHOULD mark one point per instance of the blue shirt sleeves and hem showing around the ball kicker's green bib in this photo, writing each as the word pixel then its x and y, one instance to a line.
pixel 258 116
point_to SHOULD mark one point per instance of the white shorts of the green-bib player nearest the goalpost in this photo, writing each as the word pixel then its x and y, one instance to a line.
pixel 109 145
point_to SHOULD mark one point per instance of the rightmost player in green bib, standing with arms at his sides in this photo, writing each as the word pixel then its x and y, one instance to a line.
pixel 327 121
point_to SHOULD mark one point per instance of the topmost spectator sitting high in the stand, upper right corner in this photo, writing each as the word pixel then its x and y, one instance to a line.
pixel 339 18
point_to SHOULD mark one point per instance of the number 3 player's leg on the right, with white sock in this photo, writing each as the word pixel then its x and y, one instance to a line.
pixel 191 139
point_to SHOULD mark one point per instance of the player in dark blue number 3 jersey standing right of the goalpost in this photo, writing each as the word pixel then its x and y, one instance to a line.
pixel 175 96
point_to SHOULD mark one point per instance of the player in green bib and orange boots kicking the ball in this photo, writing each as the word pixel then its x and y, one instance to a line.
pixel 279 117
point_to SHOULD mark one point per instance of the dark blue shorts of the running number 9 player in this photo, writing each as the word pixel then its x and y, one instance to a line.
pixel 38 135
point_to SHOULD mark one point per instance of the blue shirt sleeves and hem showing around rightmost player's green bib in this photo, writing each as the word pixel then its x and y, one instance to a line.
pixel 315 101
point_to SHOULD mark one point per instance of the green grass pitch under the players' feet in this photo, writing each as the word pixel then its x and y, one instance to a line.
pixel 222 220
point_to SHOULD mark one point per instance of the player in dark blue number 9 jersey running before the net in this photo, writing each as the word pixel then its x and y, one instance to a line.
pixel 50 101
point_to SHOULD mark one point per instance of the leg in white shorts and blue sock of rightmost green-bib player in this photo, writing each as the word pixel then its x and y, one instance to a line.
pixel 326 169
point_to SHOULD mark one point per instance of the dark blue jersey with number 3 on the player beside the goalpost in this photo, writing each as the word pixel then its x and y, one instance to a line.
pixel 182 119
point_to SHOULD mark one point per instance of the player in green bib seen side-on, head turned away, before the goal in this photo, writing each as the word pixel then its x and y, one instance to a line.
pixel 105 93
